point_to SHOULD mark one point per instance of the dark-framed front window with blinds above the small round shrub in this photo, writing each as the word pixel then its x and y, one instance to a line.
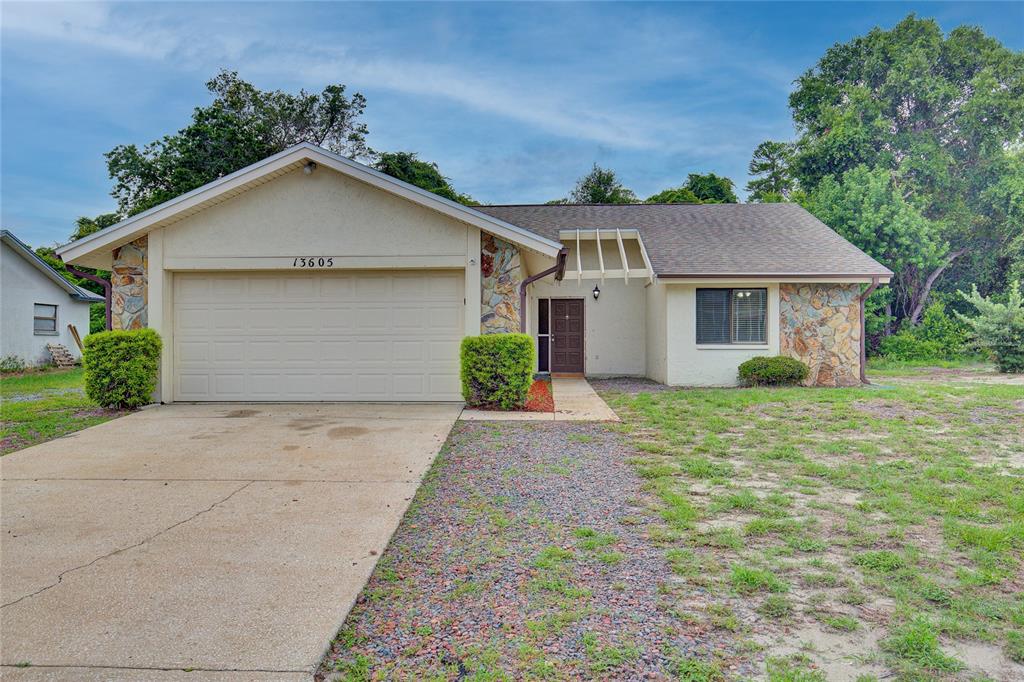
pixel 732 316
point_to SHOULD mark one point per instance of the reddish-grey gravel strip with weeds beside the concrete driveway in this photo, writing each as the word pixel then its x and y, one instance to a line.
pixel 525 556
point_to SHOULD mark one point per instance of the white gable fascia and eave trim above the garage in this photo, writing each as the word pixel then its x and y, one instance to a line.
pixel 140 225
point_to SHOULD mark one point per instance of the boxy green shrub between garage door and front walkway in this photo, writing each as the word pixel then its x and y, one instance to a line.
pixel 497 370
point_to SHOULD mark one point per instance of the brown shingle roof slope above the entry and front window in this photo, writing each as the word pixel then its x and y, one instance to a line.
pixel 694 240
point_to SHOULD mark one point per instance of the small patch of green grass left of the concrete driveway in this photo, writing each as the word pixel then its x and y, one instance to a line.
pixel 36 407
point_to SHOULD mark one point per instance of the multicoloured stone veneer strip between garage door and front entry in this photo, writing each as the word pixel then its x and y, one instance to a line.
pixel 500 279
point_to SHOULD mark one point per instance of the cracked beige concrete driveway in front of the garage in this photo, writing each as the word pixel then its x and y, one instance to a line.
pixel 227 540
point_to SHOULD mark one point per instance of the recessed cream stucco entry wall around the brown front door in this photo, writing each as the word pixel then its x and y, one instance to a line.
pixel 615 325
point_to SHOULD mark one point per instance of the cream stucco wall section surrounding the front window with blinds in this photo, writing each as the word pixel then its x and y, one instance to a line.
pixel 691 365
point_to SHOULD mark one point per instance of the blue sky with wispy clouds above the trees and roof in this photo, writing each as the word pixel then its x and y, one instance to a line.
pixel 515 102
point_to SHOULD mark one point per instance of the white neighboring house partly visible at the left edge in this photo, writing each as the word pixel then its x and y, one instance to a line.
pixel 37 306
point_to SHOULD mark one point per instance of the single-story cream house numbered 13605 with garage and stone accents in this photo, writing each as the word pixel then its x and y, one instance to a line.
pixel 310 277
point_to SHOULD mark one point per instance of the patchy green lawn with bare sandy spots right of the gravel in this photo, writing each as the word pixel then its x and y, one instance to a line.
pixel 891 510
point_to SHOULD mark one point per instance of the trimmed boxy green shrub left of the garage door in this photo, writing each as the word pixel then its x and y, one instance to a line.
pixel 121 367
